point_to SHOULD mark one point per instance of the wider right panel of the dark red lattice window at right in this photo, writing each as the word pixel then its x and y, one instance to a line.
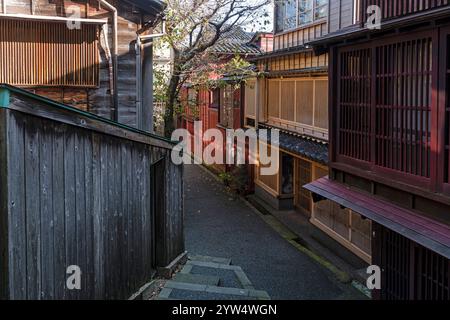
pixel 403 106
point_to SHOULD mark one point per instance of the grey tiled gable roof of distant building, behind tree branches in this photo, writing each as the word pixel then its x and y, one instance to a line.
pixel 236 41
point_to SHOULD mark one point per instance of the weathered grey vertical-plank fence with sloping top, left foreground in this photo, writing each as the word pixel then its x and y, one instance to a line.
pixel 80 190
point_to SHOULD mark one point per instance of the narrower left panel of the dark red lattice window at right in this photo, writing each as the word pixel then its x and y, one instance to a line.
pixel 355 104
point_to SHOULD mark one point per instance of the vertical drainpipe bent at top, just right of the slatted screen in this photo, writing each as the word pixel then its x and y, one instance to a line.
pixel 115 55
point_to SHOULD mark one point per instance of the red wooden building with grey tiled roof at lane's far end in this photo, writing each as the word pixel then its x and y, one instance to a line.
pixel 219 104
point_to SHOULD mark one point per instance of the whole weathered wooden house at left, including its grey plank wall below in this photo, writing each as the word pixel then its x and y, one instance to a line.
pixel 78 189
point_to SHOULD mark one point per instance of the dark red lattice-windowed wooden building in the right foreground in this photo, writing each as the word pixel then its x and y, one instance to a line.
pixel 389 112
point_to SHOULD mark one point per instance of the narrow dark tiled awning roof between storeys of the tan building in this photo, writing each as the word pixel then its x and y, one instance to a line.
pixel 304 146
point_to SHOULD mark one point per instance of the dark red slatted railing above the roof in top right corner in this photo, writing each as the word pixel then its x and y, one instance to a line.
pixel 399 8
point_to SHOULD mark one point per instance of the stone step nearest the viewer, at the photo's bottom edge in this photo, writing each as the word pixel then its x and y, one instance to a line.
pixel 190 291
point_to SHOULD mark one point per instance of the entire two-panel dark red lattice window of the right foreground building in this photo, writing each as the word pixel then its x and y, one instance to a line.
pixel 385 107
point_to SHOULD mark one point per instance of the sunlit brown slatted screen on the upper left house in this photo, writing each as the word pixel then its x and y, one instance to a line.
pixel 37 53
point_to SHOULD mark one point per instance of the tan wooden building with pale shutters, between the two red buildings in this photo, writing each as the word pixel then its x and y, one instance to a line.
pixel 292 96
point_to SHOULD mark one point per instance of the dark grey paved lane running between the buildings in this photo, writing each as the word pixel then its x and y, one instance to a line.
pixel 219 224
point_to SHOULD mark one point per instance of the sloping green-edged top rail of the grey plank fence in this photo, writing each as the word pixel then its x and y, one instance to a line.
pixel 14 98
